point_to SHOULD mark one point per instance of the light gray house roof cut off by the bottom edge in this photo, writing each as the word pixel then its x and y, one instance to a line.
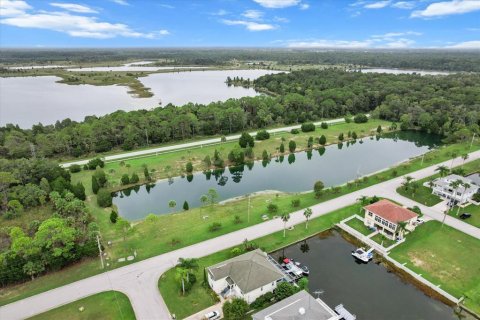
pixel 300 306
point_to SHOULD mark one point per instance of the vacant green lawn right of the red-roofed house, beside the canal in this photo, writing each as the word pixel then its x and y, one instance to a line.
pixel 446 257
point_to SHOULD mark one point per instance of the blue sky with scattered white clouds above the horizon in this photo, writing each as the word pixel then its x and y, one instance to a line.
pixel 240 23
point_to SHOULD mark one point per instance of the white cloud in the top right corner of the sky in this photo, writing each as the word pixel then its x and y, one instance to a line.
pixel 439 9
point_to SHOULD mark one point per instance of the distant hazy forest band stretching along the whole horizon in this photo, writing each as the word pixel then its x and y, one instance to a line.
pixel 449 60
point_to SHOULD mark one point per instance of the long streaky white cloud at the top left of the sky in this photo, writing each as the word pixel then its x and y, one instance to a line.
pixel 23 16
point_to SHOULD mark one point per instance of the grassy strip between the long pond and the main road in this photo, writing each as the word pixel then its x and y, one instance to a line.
pixel 153 240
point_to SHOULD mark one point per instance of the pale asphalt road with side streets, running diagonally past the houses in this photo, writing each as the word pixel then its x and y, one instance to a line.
pixel 139 280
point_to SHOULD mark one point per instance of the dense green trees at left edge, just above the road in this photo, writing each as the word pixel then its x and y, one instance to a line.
pixel 65 236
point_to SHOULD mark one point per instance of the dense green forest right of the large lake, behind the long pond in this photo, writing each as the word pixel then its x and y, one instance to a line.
pixel 445 105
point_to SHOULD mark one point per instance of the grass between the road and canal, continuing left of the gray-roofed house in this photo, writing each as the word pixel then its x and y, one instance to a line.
pixel 200 298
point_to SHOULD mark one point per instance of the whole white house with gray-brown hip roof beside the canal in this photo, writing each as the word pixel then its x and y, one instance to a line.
pixel 247 276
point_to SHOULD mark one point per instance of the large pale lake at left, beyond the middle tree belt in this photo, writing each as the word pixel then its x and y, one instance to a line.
pixel 29 100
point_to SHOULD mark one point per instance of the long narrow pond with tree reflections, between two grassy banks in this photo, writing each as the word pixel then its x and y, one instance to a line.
pixel 293 173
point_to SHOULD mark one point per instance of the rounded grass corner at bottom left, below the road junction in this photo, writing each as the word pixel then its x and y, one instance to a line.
pixel 106 305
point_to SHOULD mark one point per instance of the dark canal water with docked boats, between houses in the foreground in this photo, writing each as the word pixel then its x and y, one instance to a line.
pixel 366 290
